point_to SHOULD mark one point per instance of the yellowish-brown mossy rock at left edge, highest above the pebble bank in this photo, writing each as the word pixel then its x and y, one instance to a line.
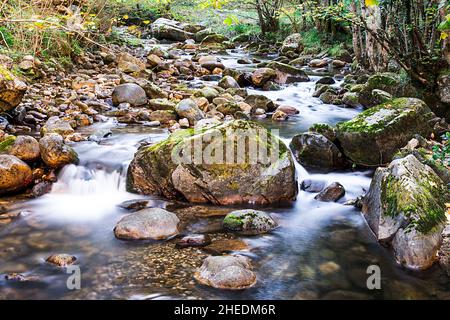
pixel 12 90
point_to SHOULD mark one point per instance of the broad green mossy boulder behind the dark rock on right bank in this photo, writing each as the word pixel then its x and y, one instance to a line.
pixel 372 137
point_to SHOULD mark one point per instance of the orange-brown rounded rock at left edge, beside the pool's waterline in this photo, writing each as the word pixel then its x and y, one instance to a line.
pixel 15 174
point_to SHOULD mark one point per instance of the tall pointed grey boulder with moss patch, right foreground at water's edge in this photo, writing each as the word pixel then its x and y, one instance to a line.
pixel 405 207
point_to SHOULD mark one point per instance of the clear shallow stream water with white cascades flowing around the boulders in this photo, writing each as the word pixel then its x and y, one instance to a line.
pixel 321 250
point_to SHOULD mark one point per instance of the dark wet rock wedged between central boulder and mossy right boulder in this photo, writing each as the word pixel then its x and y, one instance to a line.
pixel 316 151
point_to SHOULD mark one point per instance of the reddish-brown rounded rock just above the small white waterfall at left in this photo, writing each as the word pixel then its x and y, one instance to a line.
pixel 55 153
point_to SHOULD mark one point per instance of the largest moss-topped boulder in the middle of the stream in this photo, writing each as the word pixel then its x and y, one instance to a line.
pixel 216 164
